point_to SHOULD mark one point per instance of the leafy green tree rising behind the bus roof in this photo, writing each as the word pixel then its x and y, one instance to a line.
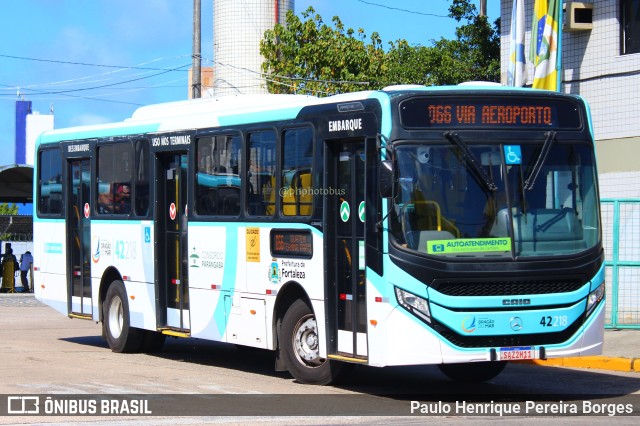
pixel 312 57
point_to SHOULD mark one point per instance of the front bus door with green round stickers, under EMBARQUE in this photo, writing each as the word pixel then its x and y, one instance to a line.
pixel 345 249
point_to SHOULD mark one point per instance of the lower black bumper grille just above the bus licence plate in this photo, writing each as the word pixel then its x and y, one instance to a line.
pixel 509 340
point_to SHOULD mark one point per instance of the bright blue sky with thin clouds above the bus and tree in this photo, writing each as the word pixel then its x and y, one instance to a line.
pixel 96 61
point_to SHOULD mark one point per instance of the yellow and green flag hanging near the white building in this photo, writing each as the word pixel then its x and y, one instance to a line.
pixel 546 72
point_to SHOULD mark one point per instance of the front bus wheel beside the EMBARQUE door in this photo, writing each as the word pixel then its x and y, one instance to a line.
pixel 299 342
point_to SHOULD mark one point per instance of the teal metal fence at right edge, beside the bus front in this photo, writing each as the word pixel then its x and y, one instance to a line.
pixel 621 238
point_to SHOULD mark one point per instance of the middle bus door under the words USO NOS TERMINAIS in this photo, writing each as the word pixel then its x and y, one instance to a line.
pixel 171 216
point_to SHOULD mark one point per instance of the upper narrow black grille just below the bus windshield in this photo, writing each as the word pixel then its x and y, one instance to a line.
pixel 507 287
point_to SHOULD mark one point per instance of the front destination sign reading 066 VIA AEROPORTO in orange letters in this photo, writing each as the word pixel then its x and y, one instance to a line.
pixel 503 112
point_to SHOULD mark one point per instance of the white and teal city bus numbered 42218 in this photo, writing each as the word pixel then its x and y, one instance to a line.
pixel 457 226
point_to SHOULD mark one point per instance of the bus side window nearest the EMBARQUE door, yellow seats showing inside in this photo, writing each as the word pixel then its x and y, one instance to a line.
pixel 297 157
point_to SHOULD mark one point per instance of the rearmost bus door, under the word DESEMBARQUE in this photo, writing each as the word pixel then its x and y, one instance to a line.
pixel 79 237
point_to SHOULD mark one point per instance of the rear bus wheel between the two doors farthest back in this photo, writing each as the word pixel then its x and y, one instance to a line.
pixel 121 337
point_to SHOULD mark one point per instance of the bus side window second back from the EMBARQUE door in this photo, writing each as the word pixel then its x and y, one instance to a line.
pixel 261 173
